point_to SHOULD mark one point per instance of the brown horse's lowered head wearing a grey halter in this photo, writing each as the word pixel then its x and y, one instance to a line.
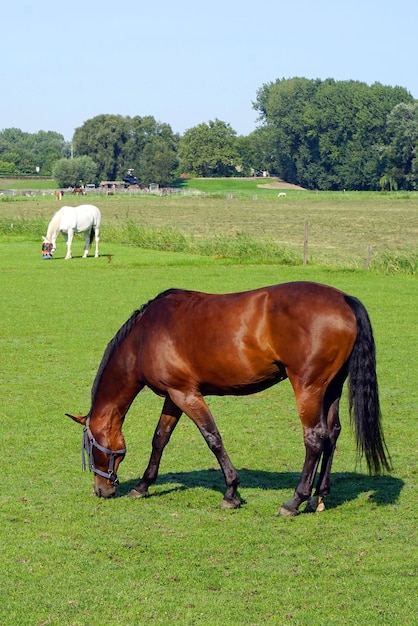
pixel 104 453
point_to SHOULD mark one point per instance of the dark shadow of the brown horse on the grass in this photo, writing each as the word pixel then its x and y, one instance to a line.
pixel 345 486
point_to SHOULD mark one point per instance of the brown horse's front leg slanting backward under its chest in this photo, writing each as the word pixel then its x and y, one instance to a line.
pixel 193 404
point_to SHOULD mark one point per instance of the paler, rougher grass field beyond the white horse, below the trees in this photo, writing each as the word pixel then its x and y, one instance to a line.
pixel 344 229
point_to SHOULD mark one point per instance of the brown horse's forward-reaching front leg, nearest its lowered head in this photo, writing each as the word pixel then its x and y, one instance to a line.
pixel 168 421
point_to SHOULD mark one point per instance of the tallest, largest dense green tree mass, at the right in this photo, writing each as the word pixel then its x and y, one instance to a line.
pixel 326 132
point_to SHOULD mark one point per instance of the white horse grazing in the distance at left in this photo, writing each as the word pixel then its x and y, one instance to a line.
pixel 85 219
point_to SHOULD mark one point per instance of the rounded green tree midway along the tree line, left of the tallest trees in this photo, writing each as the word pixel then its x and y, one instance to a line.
pixel 209 150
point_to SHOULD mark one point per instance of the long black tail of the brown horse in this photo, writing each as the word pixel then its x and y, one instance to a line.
pixel 363 393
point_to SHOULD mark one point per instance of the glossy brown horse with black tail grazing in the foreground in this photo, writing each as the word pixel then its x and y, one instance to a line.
pixel 185 344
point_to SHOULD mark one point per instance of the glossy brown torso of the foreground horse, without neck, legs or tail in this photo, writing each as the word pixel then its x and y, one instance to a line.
pixel 247 339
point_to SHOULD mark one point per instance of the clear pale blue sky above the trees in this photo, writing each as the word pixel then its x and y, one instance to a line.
pixel 186 62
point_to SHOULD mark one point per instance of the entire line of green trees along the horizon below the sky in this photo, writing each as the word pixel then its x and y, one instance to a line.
pixel 320 134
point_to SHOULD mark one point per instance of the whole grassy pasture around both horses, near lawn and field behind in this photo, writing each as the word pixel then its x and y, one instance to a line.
pixel 71 558
